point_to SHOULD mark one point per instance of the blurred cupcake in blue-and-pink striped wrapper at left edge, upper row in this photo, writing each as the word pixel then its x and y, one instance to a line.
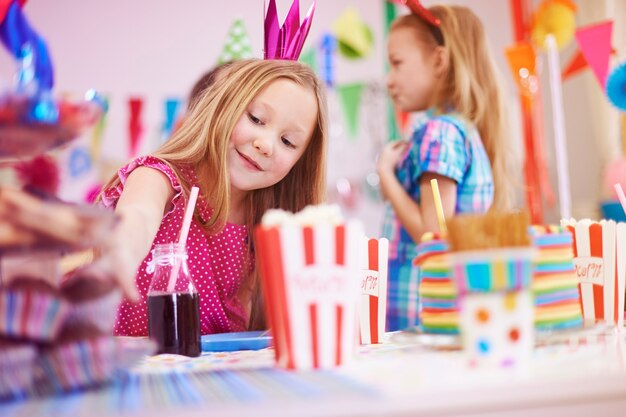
pixel 31 309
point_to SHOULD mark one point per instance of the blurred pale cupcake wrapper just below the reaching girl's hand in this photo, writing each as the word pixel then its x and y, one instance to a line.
pixel 100 312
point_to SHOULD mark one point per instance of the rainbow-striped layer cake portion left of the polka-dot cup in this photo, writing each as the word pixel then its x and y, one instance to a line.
pixel 439 309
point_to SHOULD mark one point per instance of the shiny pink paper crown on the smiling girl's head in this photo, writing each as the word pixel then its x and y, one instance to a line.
pixel 286 41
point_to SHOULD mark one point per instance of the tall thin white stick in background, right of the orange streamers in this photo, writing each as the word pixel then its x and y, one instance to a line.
pixel 558 123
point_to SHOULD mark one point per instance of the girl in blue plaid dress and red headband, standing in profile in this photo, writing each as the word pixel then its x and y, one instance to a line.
pixel 440 64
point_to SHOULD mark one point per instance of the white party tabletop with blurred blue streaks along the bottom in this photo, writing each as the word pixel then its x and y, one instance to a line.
pixel 405 375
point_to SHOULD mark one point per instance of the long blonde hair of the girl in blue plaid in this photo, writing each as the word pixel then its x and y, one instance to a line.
pixel 472 86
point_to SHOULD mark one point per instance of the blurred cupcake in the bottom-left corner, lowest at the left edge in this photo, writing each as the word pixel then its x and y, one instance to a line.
pixel 16 369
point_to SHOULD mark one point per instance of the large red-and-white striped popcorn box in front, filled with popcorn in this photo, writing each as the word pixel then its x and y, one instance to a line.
pixel 309 276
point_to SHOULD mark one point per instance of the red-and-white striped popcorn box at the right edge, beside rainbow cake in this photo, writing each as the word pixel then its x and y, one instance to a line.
pixel 600 263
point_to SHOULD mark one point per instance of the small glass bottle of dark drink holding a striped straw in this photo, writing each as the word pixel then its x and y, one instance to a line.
pixel 173 305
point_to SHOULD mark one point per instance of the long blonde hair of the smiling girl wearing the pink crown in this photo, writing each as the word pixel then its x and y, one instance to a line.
pixel 202 142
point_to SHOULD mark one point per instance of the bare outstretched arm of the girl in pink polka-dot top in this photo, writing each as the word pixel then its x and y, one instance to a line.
pixel 141 207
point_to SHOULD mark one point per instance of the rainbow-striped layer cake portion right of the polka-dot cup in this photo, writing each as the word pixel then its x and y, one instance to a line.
pixel 555 287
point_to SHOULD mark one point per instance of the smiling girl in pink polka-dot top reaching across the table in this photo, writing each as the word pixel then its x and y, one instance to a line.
pixel 255 140
